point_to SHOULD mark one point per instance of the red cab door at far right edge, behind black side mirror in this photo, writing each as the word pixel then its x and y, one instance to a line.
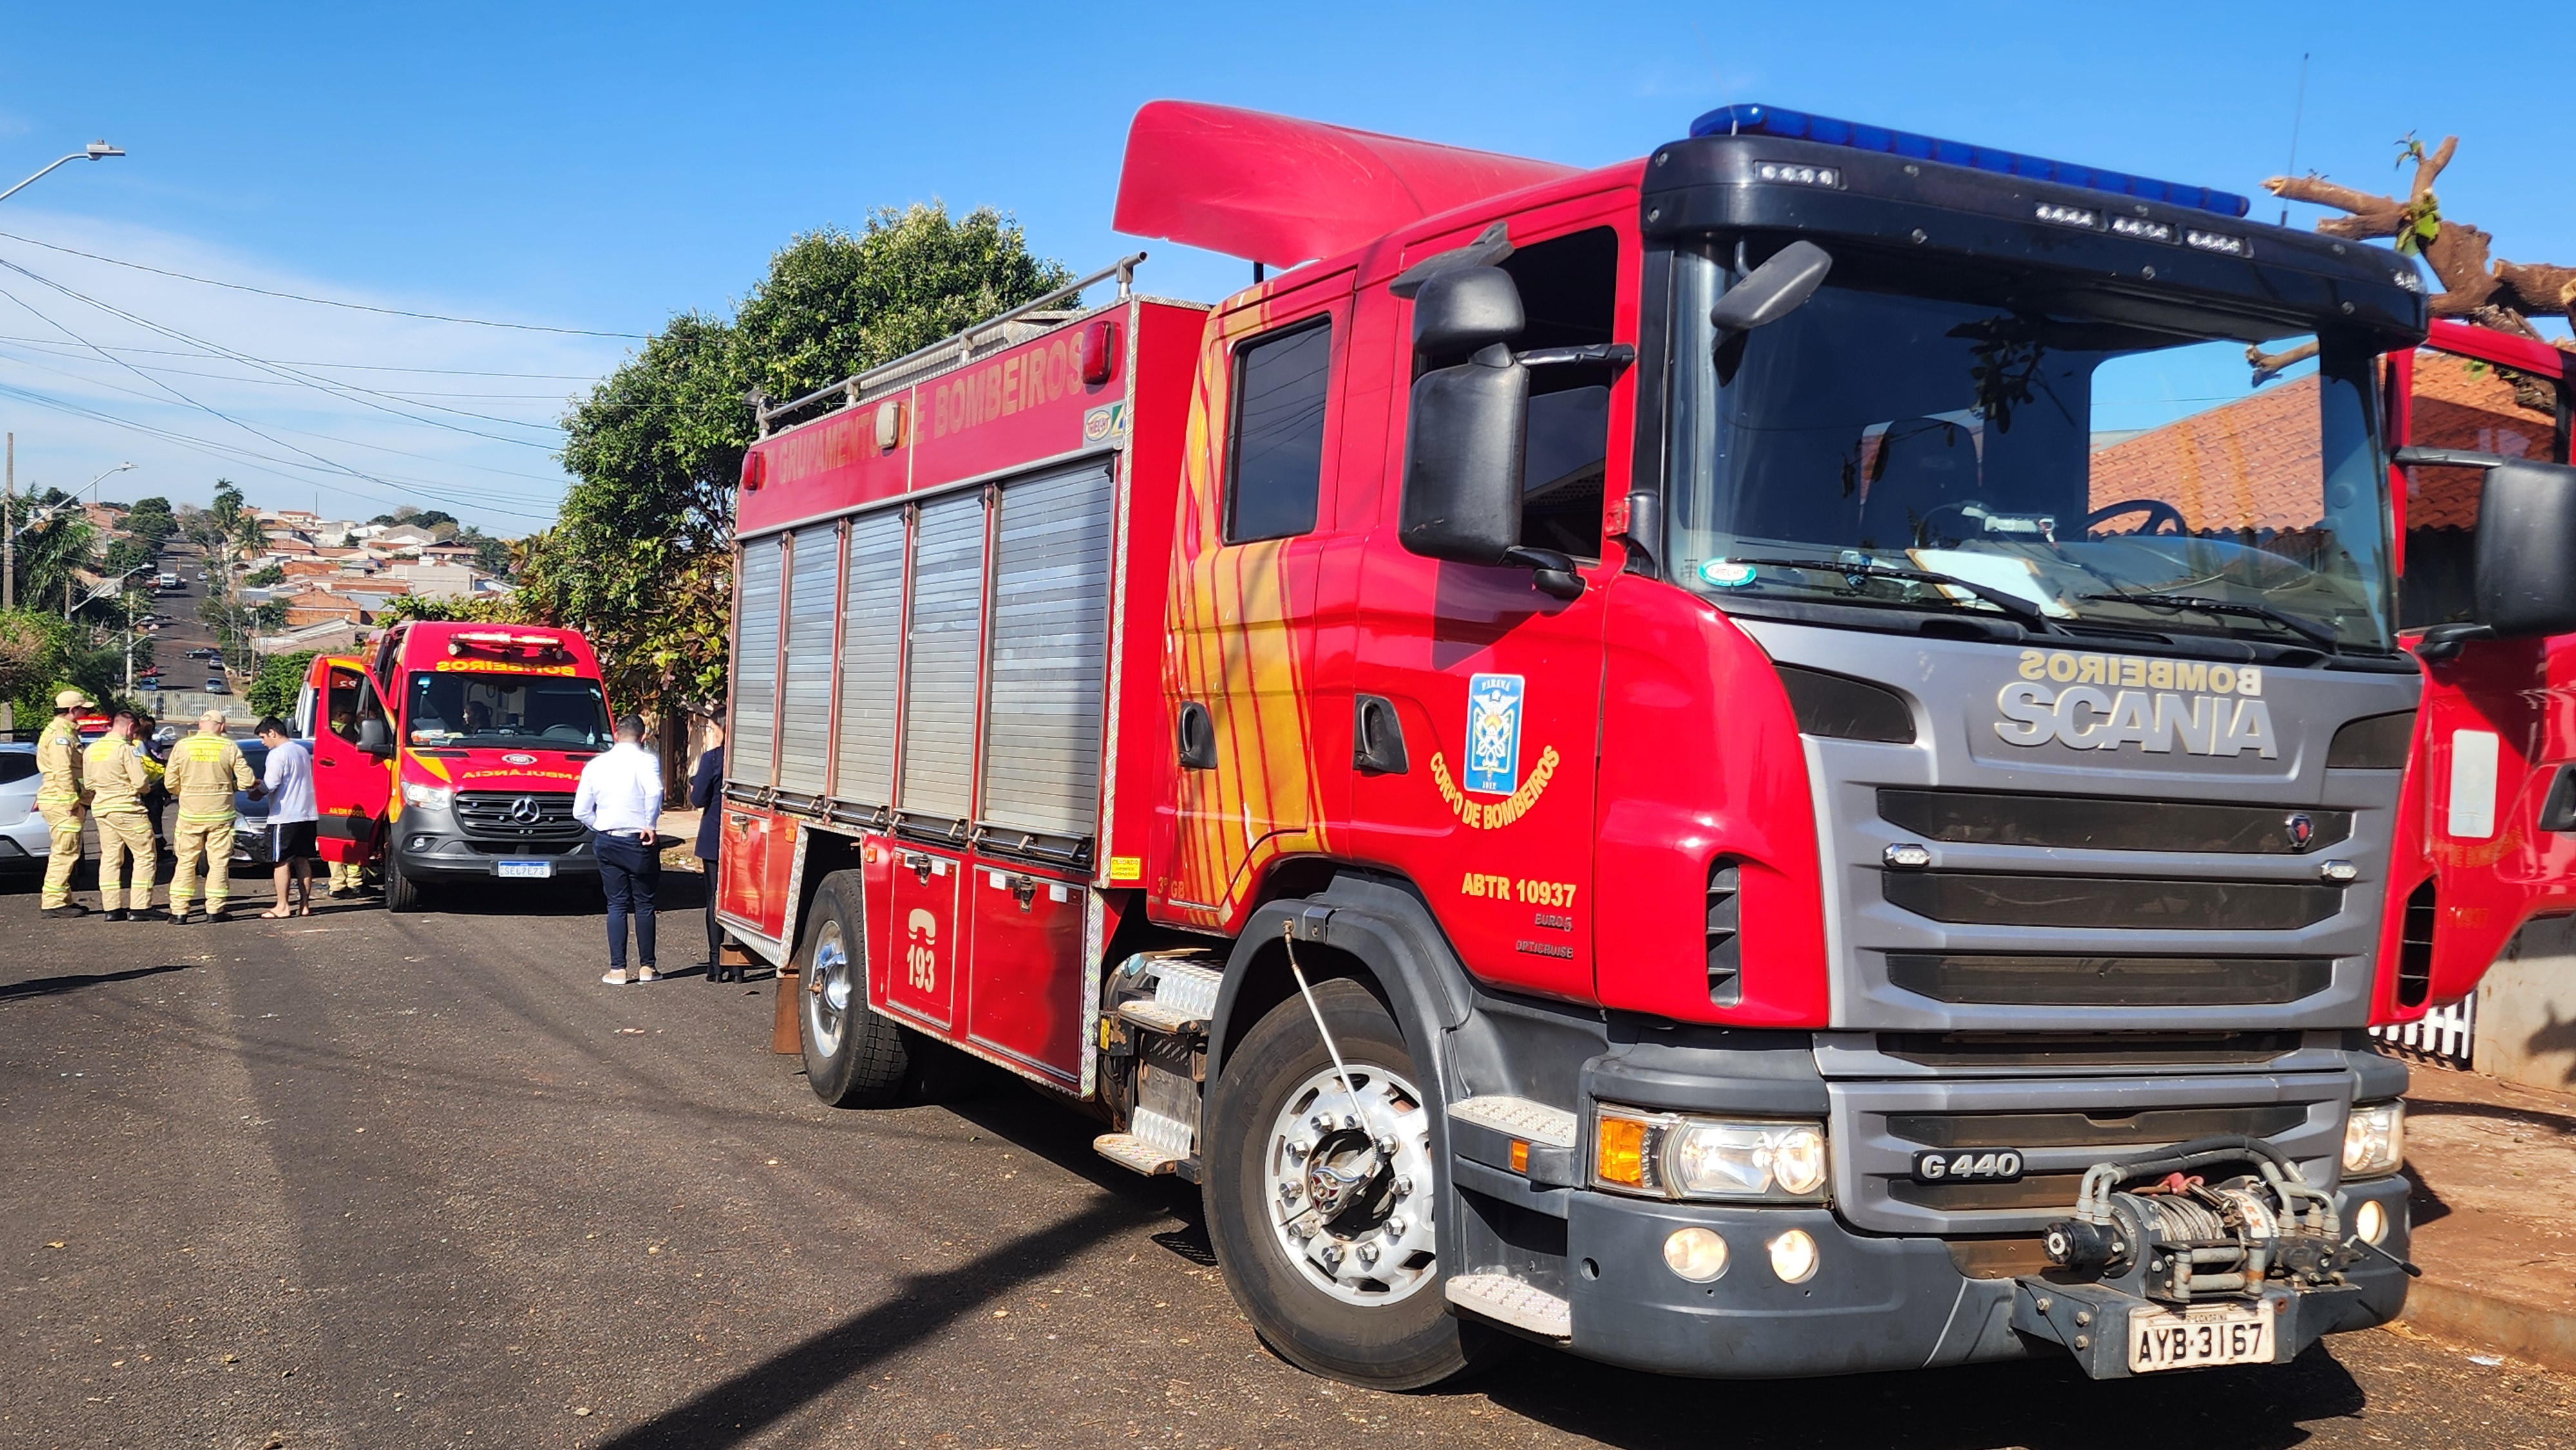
pixel 2497 753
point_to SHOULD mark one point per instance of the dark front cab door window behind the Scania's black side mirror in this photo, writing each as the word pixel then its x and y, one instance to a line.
pixel 1570 295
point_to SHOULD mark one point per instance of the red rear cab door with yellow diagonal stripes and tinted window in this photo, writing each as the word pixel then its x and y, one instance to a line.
pixel 1256 679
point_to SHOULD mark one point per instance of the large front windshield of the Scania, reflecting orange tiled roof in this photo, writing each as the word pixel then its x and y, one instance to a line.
pixel 1920 439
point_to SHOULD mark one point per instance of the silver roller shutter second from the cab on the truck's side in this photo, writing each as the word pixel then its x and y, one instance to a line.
pixel 944 661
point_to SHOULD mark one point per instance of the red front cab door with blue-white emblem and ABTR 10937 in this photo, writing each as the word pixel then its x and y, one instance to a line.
pixel 1488 686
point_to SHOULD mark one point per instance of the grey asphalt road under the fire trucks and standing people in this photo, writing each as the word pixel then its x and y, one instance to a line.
pixel 424 1181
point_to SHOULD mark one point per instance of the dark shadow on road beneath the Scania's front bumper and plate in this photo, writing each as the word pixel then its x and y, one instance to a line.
pixel 2041 1405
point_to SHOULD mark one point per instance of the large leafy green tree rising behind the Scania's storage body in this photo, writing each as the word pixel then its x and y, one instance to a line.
pixel 643 550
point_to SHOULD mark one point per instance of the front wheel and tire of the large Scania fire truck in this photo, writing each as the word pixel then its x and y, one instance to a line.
pixel 1349 1294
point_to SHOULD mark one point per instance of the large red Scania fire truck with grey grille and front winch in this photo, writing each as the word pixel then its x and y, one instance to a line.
pixel 1714 761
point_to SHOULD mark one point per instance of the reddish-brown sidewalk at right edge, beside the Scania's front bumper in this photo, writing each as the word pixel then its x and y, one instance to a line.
pixel 2495 1214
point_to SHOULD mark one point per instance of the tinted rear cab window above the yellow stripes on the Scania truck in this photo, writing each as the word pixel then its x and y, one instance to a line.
pixel 1276 447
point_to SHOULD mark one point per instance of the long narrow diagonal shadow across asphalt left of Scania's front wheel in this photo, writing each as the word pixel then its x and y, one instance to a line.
pixel 748 1405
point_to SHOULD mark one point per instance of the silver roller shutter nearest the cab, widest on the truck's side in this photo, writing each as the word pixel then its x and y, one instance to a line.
pixel 1050 650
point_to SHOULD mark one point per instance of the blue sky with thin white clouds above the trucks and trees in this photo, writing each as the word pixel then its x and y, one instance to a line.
pixel 607 166
